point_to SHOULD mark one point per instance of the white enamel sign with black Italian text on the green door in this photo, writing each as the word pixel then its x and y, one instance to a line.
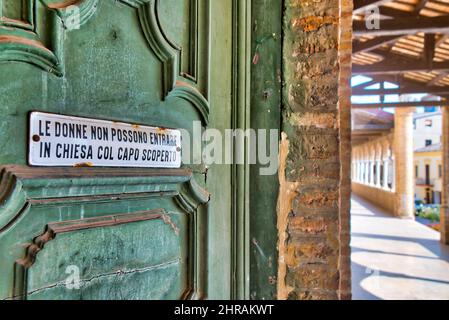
pixel 57 140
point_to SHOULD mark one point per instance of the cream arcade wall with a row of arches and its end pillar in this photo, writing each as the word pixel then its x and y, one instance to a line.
pixel 383 162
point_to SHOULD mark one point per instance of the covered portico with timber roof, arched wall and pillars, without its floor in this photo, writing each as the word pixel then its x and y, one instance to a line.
pixel 406 56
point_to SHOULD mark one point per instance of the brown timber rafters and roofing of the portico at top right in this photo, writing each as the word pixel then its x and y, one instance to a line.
pixel 412 45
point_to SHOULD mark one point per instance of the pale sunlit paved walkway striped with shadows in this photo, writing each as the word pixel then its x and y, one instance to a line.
pixel 394 258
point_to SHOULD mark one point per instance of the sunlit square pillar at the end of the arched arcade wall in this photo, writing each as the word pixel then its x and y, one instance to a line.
pixel 403 154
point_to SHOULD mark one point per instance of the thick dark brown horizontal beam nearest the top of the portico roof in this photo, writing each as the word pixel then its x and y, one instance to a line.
pixel 403 26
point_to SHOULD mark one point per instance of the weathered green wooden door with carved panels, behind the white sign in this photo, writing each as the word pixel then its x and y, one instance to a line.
pixel 123 233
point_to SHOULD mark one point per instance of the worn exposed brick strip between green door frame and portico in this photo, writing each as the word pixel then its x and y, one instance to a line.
pixel 313 208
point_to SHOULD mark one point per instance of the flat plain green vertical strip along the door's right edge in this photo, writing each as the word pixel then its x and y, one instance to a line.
pixel 219 176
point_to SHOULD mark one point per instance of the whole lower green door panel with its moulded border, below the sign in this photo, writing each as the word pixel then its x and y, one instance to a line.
pixel 36 199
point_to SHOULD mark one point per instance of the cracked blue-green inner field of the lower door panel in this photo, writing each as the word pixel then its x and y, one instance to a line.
pixel 117 262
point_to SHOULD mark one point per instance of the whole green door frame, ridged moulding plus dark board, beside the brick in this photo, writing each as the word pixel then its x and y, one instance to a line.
pixel 257 99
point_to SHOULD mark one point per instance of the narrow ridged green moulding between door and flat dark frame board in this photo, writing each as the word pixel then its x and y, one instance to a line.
pixel 240 173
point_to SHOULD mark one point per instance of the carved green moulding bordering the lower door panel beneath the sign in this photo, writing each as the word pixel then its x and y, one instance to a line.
pixel 24 189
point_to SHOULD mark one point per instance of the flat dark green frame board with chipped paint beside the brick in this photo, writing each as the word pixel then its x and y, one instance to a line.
pixel 266 84
